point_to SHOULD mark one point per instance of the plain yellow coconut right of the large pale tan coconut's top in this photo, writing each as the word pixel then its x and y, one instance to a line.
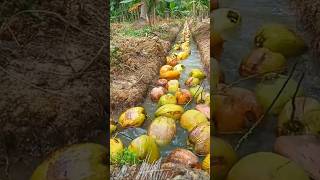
pixel 191 118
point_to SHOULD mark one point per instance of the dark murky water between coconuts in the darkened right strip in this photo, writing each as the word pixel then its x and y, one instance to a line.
pixel 239 43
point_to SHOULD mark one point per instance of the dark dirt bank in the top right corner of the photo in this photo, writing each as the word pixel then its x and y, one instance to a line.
pixel 309 13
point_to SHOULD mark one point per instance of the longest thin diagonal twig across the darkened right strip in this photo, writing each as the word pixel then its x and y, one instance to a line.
pixel 253 127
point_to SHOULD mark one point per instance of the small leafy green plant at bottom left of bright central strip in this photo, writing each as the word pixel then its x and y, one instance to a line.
pixel 127 158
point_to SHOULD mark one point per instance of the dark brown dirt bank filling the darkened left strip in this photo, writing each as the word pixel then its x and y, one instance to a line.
pixel 53 74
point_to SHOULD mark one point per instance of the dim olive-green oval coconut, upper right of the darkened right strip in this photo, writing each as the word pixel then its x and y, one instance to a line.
pixel 278 38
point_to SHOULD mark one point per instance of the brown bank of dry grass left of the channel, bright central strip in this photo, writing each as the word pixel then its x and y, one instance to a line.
pixel 136 62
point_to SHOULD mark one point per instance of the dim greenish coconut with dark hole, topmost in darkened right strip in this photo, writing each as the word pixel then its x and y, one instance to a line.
pixel 225 19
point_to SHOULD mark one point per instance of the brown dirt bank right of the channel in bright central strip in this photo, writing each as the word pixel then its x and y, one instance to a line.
pixel 201 35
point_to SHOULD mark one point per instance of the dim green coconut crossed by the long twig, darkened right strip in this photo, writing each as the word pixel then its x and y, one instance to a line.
pixel 267 90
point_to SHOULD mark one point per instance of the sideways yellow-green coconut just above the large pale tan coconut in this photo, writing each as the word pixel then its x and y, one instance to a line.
pixel 170 110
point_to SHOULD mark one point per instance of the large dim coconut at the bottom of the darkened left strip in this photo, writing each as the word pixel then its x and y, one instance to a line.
pixel 76 162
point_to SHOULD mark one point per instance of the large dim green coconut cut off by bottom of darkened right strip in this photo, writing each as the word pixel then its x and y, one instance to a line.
pixel 266 166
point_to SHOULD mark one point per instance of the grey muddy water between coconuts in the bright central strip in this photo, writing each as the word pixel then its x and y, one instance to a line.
pixel 193 61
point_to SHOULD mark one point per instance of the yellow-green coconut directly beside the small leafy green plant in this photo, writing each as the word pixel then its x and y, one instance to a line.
pixel 145 147
